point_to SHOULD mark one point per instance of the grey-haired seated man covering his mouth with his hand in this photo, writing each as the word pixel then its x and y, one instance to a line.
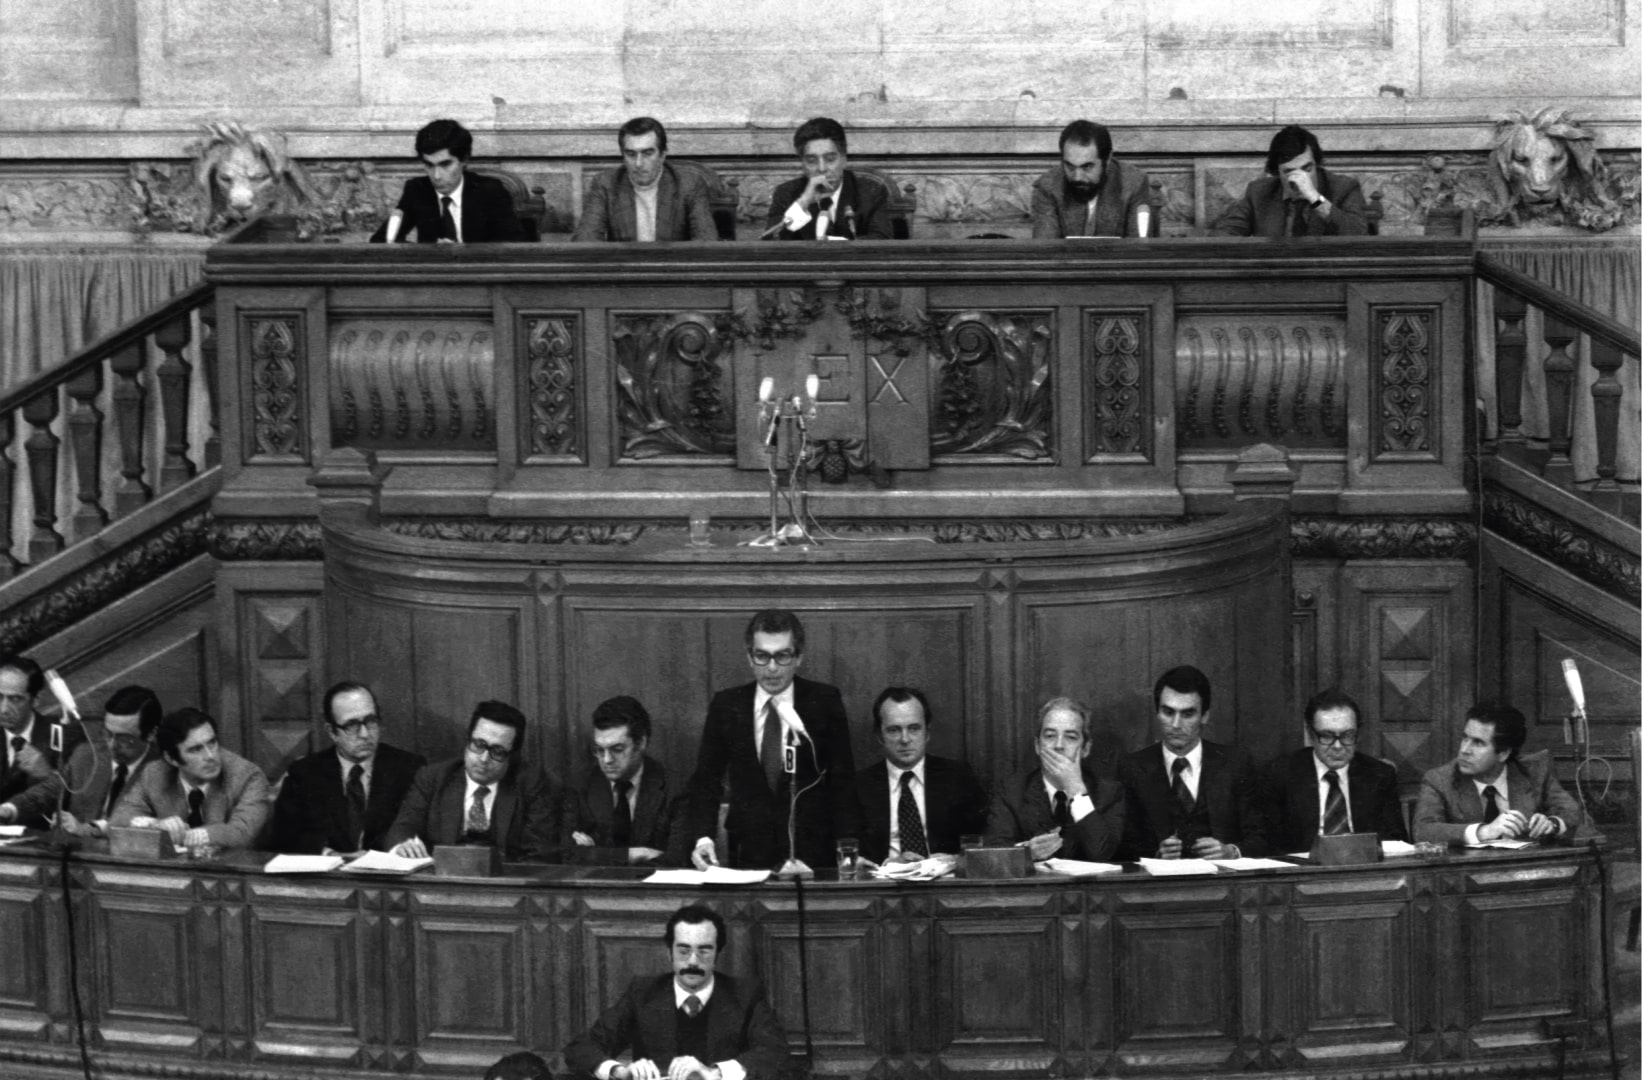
pixel 1060 807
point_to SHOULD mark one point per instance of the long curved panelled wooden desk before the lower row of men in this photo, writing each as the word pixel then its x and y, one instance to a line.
pixel 1406 969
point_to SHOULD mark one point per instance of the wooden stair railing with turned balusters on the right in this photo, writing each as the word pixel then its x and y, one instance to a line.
pixel 1564 321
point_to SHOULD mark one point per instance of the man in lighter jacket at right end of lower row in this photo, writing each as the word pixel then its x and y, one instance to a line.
pixel 1492 792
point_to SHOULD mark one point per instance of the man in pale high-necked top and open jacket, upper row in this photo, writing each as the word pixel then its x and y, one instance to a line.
pixel 644 198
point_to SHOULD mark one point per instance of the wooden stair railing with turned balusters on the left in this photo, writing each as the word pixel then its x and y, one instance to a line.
pixel 63 416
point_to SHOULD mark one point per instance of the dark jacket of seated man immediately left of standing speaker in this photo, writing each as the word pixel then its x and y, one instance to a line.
pixel 659 818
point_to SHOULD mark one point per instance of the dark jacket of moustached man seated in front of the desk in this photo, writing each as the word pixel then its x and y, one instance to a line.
pixel 741 1027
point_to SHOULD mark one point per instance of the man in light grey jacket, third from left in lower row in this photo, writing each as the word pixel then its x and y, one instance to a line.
pixel 200 794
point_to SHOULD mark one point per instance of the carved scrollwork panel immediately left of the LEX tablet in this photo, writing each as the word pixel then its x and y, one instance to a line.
pixel 672 377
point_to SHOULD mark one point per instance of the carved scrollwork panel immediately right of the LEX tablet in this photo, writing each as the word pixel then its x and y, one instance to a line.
pixel 991 388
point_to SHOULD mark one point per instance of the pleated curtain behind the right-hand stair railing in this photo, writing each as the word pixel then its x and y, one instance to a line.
pixel 1602 275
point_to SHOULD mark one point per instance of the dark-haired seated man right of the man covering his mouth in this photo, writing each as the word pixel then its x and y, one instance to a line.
pixel 1190 797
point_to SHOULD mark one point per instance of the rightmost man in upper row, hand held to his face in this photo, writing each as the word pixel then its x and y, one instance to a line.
pixel 1296 198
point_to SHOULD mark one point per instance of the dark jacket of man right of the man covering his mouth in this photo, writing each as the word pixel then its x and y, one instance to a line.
pixel 1231 807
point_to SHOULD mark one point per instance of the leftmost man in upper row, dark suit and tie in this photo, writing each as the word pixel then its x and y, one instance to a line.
pixel 451 204
